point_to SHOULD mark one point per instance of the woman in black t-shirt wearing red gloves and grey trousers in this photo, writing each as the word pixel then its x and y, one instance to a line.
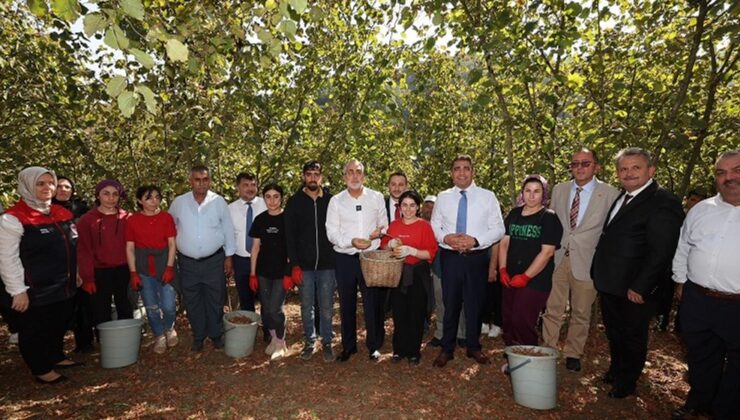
pixel 269 263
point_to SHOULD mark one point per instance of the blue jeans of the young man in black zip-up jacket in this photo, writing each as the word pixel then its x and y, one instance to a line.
pixel 317 285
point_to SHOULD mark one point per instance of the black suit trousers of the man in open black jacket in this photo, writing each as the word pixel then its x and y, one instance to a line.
pixel 627 330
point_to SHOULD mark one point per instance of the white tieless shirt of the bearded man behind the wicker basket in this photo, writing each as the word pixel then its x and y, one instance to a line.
pixel 348 218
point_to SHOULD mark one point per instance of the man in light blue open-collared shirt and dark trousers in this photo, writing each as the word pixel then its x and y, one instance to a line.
pixel 205 245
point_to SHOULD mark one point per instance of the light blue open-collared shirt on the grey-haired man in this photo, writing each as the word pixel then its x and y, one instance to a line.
pixel 202 228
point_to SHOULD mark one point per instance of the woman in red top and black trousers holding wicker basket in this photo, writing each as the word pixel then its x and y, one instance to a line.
pixel 414 241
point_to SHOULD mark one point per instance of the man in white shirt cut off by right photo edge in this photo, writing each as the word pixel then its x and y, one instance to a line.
pixel 707 269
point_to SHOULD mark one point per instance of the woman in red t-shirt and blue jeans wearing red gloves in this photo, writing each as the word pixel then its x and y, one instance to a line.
pixel 150 251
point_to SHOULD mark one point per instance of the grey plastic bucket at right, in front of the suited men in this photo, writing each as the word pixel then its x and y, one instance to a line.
pixel 533 378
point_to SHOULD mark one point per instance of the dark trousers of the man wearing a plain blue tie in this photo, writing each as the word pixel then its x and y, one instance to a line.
pixel 464 279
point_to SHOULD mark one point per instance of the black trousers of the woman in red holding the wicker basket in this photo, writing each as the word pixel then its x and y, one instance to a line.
pixel 409 305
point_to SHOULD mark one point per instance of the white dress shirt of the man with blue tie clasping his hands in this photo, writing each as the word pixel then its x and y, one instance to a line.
pixel 484 221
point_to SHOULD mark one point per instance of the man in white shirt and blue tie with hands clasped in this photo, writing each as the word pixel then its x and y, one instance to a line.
pixel 466 221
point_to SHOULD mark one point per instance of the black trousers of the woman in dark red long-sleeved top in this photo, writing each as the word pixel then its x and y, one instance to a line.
pixel 111 283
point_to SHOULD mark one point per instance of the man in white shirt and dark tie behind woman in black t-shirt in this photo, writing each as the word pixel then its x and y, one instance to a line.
pixel 243 211
